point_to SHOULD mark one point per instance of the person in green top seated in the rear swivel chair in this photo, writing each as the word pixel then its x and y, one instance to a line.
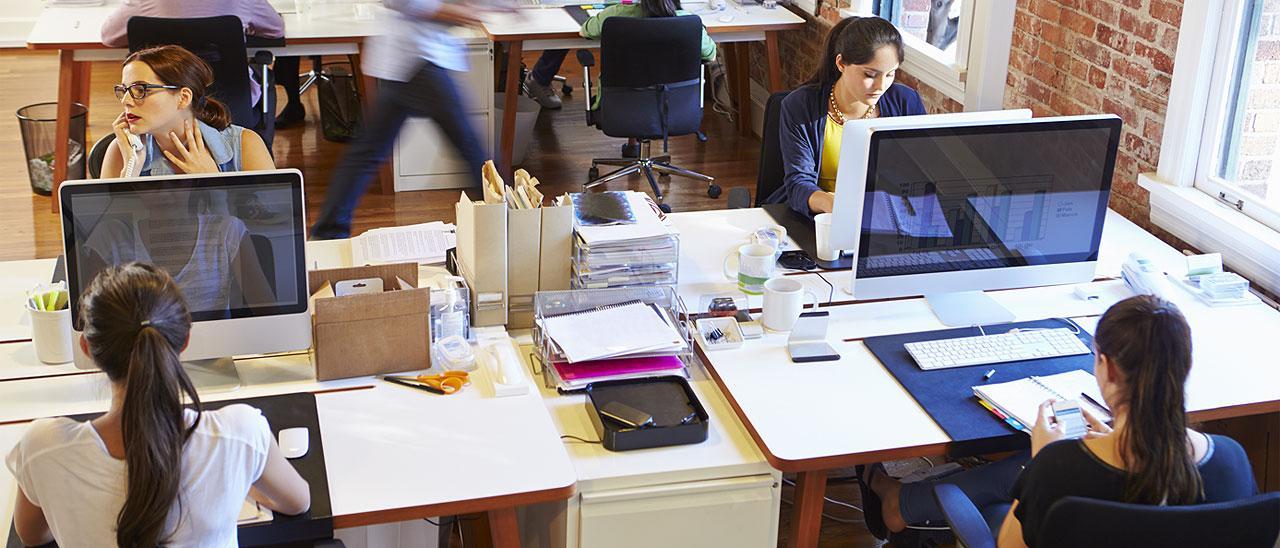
pixel 538 83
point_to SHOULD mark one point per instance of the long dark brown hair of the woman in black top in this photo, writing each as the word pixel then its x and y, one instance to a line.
pixel 1150 344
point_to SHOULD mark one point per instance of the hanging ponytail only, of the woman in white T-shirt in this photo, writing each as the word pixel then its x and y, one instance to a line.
pixel 153 424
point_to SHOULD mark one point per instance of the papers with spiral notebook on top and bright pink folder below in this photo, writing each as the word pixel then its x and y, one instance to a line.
pixel 627 341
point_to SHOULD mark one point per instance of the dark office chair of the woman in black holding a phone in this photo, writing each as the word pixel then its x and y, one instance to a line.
pixel 1077 522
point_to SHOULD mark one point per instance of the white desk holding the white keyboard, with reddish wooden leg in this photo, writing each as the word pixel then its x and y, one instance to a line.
pixel 853 412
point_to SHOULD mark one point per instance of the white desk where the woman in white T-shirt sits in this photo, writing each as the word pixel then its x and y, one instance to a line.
pixel 392 454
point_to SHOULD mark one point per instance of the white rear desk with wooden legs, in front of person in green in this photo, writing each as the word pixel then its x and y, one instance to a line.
pixel 550 29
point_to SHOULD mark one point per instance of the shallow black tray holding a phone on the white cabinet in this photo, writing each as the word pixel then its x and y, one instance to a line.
pixel 668 399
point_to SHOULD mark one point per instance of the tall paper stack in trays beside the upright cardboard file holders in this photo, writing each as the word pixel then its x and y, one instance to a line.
pixel 621 240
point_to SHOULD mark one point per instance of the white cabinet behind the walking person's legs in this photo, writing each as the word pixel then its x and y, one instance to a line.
pixel 426 159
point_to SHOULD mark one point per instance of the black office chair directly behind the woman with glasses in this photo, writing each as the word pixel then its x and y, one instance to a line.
pixel 221 43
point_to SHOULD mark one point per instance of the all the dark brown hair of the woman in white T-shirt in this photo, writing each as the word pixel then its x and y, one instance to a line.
pixel 136 325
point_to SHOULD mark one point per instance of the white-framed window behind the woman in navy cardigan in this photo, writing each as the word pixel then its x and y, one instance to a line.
pixel 944 53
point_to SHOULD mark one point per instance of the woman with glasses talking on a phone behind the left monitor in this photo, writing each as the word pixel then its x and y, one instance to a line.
pixel 180 127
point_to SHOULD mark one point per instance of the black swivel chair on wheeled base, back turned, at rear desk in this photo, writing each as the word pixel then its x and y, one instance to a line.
pixel 651 89
